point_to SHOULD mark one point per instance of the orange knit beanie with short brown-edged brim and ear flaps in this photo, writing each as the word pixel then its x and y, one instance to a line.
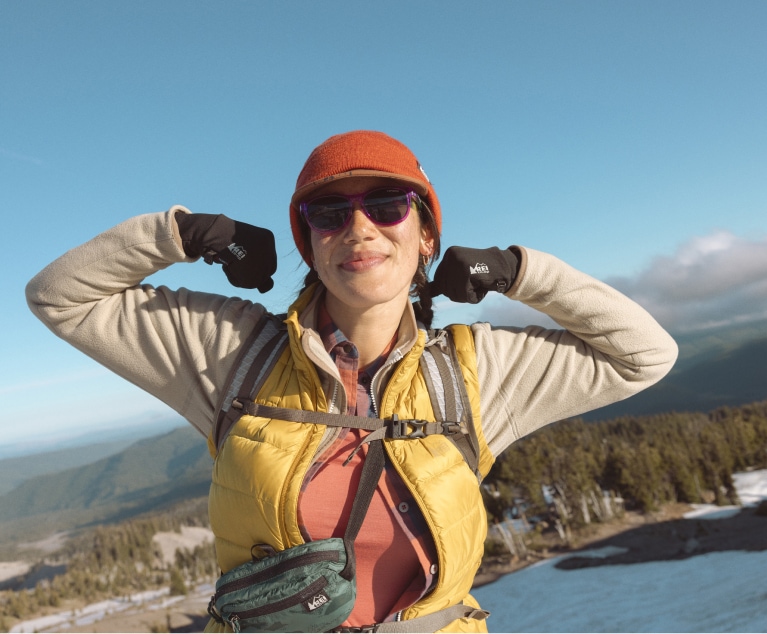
pixel 355 154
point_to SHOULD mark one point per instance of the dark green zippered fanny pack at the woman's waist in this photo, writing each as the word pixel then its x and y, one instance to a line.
pixel 301 589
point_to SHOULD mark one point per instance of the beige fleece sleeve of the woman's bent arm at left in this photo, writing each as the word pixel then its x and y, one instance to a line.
pixel 176 345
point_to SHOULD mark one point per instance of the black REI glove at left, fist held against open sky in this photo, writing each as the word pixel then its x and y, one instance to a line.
pixel 247 253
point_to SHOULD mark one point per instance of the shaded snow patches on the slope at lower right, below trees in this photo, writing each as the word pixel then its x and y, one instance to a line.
pixel 715 592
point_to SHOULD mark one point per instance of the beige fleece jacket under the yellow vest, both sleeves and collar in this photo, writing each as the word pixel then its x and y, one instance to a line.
pixel 179 345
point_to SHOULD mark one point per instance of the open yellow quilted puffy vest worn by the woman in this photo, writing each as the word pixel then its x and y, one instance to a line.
pixel 259 470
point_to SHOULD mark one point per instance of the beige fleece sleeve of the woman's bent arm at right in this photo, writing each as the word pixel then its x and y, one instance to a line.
pixel 609 349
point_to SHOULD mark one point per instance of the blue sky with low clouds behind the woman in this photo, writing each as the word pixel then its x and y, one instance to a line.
pixel 627 138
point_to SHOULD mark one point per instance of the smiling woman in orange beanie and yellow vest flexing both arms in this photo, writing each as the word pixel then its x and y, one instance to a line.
pixel 366 219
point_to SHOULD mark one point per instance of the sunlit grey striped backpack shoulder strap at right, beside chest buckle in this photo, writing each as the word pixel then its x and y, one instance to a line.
pixel 447 391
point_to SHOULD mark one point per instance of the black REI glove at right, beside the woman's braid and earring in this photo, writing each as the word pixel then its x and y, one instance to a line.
pixel 466 275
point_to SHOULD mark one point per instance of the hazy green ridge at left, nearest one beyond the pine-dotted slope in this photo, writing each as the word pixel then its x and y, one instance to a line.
pixel 151 474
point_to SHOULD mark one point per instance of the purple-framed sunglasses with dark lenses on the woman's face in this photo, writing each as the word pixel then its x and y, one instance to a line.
pixel 384 206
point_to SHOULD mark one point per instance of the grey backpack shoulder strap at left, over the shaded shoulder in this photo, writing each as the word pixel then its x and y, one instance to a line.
pixel 256 358
